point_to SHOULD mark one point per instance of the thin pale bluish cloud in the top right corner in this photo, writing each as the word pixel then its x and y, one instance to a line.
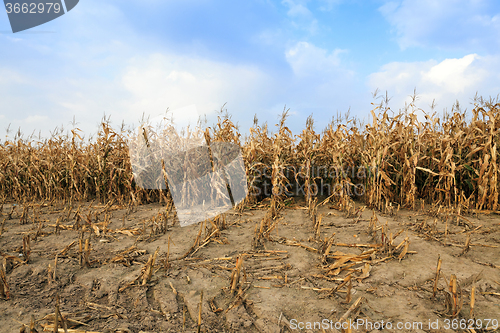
pixel 452 24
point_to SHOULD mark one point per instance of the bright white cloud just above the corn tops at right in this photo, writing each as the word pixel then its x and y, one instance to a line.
pixel 445 82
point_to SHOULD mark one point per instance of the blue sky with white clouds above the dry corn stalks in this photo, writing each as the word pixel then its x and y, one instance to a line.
pixel 125 58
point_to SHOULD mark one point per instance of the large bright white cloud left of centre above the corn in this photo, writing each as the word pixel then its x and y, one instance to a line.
pixel 160 81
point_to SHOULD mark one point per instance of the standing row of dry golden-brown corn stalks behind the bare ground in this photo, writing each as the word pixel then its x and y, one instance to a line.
pixel 394 160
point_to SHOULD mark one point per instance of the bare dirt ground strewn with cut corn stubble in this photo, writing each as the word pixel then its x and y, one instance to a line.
pixel 287 281
